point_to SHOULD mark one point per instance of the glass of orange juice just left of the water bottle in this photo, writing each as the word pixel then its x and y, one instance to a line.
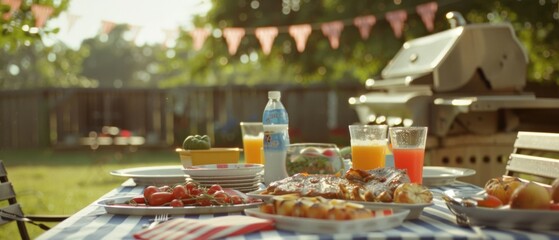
pixel 253 141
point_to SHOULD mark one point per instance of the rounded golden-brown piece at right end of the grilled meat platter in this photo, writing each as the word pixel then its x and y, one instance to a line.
pixel 412 193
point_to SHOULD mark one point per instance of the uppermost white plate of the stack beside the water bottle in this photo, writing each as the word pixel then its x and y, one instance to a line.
pixel 212 170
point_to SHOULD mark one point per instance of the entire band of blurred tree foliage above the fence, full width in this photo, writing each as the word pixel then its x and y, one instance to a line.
pixel 113 61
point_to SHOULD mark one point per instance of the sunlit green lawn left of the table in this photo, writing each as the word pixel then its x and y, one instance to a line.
pixel 63 182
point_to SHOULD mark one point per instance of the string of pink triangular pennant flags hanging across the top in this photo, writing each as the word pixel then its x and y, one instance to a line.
pixel 266 35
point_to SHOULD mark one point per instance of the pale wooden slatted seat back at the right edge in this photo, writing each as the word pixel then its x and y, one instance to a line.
pixel 535 157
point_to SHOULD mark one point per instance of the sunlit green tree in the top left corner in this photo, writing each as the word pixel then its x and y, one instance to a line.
pixel 27 62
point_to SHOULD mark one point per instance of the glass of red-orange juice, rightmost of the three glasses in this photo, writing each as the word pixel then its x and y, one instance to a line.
pixel 408 148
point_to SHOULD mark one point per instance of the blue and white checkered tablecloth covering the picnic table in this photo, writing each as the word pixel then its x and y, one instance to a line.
pixel 435 222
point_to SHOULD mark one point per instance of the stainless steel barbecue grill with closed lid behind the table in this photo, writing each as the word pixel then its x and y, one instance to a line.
pixel 466 84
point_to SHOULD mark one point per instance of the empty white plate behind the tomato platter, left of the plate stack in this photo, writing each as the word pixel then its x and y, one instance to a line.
pixel 157 175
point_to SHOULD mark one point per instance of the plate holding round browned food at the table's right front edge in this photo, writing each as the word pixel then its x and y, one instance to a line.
pixel 537 220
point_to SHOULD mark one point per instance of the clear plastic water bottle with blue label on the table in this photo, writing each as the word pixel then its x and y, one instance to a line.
pixel 276 138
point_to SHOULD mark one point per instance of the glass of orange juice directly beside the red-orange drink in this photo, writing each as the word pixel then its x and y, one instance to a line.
pixel 368 146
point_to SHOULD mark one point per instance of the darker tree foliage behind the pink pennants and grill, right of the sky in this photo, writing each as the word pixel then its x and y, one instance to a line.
pixel 356 59
